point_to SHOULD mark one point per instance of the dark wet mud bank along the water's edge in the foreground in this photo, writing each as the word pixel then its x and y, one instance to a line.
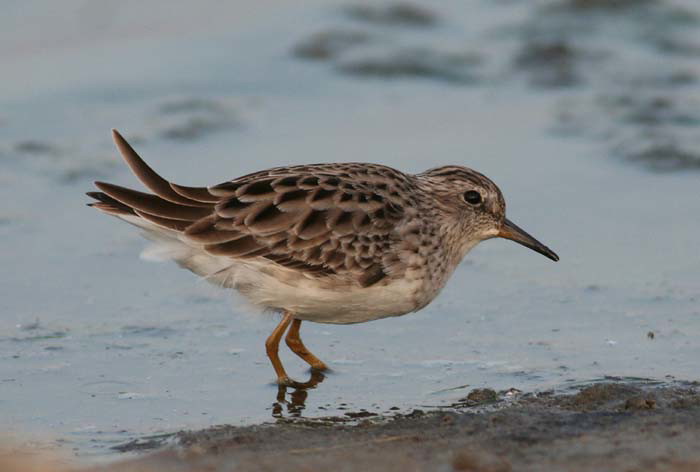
pixel 604 426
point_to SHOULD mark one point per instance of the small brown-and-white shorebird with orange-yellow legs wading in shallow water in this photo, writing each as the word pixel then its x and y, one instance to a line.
pixel 329 243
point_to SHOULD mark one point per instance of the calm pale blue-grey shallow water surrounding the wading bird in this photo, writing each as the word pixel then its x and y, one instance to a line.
pixel 98 347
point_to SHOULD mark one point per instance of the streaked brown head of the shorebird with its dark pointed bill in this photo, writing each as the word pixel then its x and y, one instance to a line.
pixel 476 205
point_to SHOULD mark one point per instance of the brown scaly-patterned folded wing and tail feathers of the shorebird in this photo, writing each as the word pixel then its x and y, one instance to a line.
pixel 325 219
